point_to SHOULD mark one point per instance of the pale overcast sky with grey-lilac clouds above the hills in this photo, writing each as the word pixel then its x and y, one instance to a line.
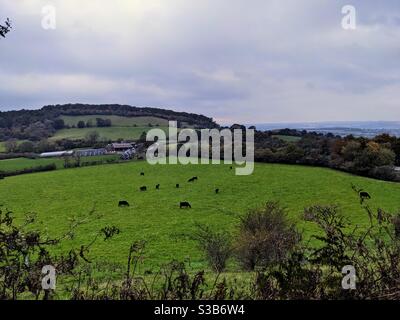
pixel 246 61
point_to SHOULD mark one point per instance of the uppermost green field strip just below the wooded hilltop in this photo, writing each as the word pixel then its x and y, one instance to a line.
pixel 116 121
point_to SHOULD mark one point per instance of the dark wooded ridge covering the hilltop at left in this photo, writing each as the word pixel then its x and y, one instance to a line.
pixel 39 124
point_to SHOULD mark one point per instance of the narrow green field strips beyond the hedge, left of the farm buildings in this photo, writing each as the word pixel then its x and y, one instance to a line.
pixel 23 163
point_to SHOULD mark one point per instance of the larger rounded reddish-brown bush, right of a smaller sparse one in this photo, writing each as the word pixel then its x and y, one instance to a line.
pixel 265 237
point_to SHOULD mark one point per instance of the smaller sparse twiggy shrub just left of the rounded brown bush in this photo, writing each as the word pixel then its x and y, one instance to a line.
pixel 216 246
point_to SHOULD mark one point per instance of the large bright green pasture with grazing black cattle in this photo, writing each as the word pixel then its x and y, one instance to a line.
pixel 154 216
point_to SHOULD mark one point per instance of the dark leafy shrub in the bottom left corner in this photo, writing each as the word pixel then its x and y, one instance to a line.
pixel 23 254
